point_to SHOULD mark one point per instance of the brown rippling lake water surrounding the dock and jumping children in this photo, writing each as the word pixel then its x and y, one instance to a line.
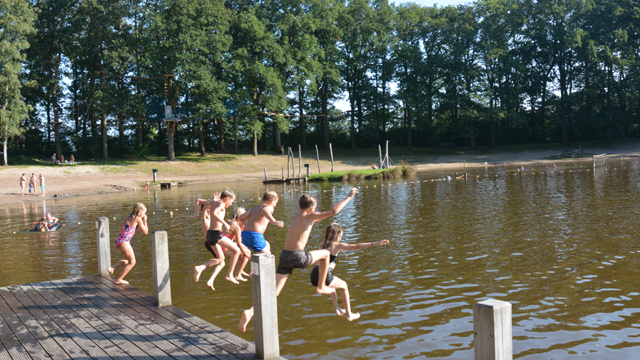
pixel 559 244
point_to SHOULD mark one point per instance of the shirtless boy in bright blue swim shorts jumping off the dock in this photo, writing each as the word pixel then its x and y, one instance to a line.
pixel 256 220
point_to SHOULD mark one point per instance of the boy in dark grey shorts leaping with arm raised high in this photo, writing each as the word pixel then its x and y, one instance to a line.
pixel 293 255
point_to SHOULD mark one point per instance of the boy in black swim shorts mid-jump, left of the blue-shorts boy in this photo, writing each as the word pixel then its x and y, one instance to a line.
pixel 213 225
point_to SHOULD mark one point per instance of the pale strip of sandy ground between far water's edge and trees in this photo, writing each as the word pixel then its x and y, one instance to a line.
pixel 70 181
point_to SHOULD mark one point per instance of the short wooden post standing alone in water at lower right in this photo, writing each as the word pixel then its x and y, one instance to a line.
pixel 492 330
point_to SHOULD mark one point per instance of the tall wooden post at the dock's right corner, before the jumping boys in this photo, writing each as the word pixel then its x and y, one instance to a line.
pixel 265 304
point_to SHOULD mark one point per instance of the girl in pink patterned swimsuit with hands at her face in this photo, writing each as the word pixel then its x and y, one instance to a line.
pixel 137 218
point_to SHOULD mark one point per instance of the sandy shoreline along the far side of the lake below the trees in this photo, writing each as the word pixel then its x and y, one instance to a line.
pixel 82 180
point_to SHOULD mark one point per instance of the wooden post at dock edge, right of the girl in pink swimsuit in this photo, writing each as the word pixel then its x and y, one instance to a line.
pixel 160 264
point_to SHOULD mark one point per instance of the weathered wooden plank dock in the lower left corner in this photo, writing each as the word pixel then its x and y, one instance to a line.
pixel 91 317
